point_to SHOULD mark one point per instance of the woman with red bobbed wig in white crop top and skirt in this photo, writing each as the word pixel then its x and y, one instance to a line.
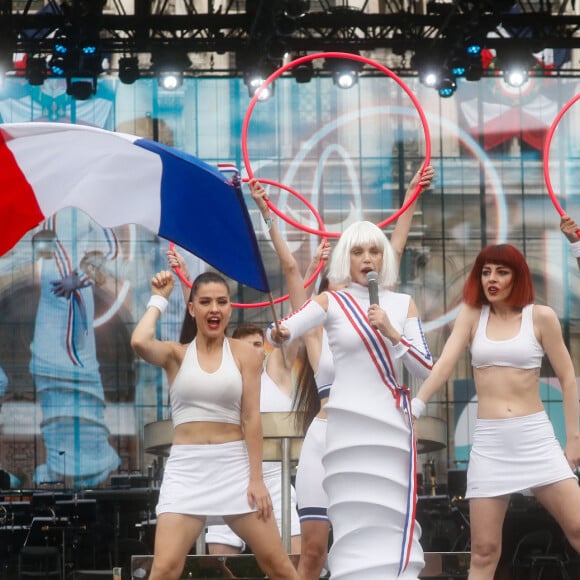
pixel 514 447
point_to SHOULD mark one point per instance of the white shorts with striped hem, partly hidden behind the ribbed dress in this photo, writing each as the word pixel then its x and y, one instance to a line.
pixel 311 497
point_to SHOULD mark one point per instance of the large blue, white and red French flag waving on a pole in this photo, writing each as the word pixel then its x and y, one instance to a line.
pixel 119 179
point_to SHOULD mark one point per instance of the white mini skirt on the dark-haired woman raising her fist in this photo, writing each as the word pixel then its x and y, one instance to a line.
pixel 206 480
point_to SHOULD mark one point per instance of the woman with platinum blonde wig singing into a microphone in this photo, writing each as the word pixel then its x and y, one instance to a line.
pixel 370 454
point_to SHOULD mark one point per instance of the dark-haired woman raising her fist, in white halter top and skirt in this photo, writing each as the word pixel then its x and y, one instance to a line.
pixel 214 472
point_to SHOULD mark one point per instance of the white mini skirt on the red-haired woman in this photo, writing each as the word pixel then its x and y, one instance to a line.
pixel 513 455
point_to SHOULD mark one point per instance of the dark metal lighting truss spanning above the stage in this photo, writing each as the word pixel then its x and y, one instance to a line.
pixel 274 27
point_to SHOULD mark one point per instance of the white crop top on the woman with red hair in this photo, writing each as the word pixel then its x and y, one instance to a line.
pixel 523 351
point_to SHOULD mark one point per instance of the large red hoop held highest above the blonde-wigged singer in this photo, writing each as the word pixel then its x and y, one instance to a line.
pixel 339 55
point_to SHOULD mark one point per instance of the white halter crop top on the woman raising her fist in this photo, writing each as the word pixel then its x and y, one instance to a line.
pixel 197 395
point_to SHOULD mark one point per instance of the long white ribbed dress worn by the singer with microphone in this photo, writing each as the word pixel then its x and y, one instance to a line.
pixel 368 461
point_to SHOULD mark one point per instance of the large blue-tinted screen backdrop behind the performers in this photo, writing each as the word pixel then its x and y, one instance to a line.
pixel 74 396
